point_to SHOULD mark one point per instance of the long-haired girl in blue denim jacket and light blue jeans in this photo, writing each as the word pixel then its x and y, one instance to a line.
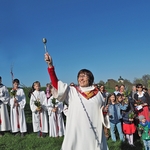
pixel 115 116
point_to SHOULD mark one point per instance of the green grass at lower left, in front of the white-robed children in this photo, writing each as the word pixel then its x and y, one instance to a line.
pixel 29 142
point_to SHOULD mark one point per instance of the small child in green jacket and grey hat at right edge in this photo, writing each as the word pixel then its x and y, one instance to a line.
pixel 144 131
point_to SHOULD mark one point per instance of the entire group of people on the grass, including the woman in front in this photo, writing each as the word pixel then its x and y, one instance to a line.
pixel 92 114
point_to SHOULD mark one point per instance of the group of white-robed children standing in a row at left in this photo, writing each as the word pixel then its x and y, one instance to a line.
pixel 42 107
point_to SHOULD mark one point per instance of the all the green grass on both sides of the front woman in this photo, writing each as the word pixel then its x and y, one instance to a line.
pixel 31 142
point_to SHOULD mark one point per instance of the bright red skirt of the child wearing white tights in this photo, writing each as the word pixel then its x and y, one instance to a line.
pixel 129 128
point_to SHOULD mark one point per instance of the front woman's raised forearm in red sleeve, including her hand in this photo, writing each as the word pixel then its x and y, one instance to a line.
pixel 51 71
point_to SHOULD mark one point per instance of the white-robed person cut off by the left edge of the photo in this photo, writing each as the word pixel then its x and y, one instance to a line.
pixel 4 116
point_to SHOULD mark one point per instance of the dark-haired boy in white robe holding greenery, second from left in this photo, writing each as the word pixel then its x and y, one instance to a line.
pixel 17 105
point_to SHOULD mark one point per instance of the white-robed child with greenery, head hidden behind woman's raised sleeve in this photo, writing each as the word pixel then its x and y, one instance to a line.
pixel 56 122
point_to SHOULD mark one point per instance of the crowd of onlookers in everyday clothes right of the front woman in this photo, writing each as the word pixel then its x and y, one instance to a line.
pixel 129 112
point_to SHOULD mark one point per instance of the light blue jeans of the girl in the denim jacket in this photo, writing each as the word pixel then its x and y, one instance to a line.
pixel 112 131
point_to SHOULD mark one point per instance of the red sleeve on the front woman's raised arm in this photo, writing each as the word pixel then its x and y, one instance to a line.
pixel 53 77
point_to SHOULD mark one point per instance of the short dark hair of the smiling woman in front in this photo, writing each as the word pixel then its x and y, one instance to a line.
pixel 89 74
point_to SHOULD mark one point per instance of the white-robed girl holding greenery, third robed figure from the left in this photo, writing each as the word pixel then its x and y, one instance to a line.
pixel 38 107
